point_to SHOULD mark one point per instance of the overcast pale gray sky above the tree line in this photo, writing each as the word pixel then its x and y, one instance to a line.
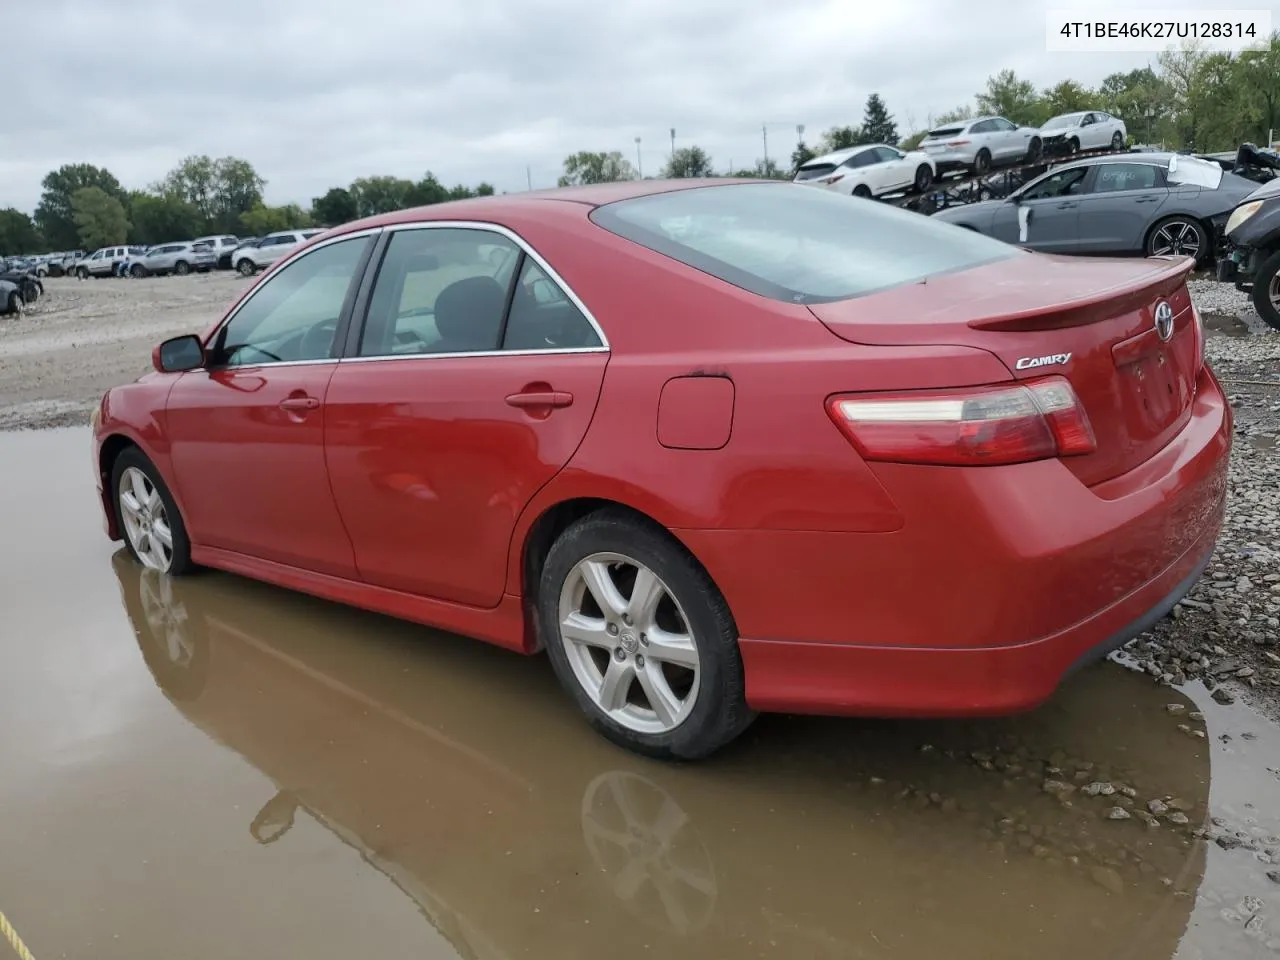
pixel 317 93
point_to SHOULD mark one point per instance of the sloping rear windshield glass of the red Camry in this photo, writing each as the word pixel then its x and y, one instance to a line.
pixel 798 244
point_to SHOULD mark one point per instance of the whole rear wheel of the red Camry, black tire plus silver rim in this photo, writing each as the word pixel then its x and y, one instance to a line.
pixel 642 639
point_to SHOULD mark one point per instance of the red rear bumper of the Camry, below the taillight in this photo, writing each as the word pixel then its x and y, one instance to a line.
pixel 996 588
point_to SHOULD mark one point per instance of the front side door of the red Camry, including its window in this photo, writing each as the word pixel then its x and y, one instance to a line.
pixel 246 433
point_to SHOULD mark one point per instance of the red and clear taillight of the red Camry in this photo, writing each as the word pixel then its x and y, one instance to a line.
pixel 975 427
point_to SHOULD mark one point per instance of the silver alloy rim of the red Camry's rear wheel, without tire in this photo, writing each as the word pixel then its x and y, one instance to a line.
pixel 629 643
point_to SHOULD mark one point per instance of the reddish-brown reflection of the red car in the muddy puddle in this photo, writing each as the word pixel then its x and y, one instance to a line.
pixel 465 778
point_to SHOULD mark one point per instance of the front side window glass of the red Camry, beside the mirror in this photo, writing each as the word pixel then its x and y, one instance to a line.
pixel 295 314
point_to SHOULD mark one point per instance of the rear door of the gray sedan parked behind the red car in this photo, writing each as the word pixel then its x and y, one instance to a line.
pixel 1119 204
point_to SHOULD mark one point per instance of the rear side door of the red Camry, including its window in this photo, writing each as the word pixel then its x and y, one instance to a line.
pixel 456 409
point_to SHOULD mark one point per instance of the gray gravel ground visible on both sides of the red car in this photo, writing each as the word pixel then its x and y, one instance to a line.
pixel 84 337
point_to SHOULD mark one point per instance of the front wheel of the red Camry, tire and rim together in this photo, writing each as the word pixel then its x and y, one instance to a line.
pixel 148 516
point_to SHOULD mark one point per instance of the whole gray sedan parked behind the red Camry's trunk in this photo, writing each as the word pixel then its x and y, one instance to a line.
pixel 1127 204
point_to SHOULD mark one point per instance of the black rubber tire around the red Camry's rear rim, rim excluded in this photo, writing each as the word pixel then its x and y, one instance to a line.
pixel 721 712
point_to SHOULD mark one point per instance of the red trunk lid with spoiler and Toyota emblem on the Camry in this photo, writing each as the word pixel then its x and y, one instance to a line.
pixel 1092 322
